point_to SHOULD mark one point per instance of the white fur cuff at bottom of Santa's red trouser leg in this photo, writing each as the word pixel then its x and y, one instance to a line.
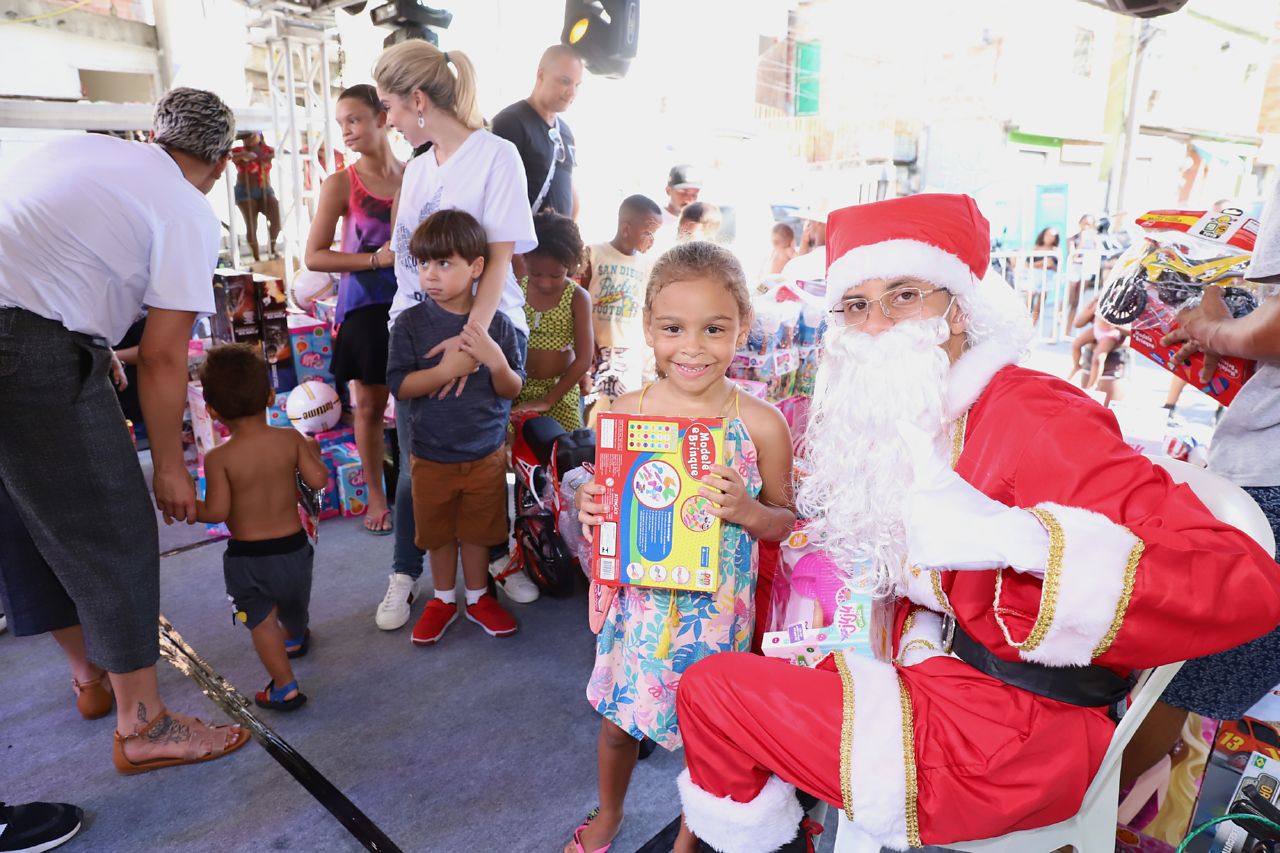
pixel 760 827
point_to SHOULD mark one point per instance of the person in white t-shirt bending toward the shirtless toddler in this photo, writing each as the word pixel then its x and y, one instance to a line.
pixel 94 229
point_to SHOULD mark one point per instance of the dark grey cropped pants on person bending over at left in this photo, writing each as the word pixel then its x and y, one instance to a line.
pixel 75 485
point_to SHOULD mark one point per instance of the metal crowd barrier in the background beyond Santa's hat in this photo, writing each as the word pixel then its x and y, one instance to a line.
pixel 1054 286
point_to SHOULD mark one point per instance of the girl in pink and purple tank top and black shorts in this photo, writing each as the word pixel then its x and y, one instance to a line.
pixel 362 197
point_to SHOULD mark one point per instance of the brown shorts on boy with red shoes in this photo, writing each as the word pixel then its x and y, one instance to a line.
pixel 460 501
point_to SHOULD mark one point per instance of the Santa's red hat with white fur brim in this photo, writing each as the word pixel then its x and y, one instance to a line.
pixel 935 238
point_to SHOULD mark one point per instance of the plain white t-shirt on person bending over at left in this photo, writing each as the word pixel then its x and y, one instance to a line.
pixel 93 229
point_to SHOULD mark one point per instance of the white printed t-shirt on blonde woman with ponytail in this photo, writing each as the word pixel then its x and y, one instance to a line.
pixel 486 179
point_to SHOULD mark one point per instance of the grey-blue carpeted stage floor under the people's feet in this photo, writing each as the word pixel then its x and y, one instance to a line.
pixel 476 745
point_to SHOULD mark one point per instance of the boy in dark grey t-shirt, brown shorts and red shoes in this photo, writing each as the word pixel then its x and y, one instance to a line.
pixel 458 440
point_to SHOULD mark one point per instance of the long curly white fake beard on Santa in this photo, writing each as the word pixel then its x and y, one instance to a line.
pixel 858 468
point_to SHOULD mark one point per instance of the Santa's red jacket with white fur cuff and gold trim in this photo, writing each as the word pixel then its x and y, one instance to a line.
pixel 1141 573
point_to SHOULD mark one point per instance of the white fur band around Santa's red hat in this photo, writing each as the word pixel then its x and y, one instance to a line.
pixel 894 259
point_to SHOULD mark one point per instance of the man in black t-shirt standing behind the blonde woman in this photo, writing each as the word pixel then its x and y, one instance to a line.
pixel 543 139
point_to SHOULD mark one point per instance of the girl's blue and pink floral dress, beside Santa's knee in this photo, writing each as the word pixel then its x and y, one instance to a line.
pixel 636 688
